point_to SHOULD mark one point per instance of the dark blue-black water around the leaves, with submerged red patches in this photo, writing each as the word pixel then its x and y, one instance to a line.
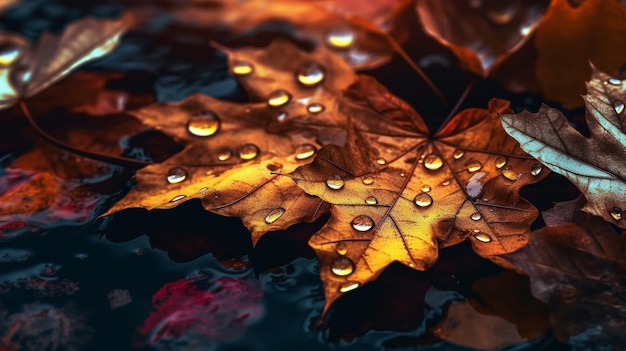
pixel 189 280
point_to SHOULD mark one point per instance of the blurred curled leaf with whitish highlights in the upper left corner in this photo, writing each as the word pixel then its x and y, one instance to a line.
pixel 26 70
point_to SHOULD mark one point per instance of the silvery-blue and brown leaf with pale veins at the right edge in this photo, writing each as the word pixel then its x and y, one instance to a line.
pixel 595 164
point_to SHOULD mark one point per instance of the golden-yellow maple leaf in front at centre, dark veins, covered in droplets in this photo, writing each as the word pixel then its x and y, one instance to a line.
pixel 402 196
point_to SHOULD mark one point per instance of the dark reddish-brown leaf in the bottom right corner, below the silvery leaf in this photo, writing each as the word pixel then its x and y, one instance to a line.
pixel 577 264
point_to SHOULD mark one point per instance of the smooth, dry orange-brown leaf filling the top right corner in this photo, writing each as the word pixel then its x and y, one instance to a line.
pixel 569 37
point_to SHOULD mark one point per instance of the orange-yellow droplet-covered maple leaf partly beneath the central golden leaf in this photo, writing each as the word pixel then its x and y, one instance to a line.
pixel 234 152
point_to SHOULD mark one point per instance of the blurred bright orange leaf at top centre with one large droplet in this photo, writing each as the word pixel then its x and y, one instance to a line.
pixel 355 30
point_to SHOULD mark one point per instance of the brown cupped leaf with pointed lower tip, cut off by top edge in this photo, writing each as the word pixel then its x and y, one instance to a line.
pixel 481 34
